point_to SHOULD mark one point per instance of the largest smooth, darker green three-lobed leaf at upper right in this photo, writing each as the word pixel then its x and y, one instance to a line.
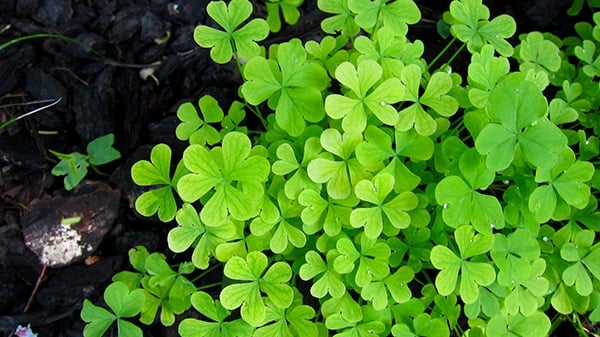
pixel 518 109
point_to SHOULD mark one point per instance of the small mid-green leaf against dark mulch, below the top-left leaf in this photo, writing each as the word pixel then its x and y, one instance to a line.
pixel 196 129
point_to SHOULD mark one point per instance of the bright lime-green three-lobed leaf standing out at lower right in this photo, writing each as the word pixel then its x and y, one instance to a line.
pixel 472 274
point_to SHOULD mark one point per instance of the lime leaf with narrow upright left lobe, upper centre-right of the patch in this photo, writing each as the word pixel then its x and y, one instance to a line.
pixel 434 97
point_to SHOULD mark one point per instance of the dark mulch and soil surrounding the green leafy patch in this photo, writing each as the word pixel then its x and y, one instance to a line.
pixel 102 92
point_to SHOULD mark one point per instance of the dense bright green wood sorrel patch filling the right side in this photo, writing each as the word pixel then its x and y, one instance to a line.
pixel 384 196
